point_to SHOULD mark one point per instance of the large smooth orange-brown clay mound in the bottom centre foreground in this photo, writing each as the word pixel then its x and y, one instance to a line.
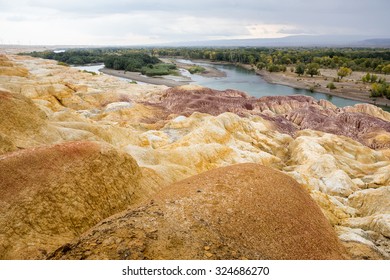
pixel 236 212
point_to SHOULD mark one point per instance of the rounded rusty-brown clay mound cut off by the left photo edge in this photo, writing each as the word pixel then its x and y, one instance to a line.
pixel 50 195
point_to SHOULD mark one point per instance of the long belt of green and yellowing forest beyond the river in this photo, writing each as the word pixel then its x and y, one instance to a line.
pixel 301 60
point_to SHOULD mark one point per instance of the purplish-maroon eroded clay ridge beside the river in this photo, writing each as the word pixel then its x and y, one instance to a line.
pixel 369 126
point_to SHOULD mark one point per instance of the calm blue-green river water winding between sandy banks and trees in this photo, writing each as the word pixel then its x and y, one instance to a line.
pixel 245 80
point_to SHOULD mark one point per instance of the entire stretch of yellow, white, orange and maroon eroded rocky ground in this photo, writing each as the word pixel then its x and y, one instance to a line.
pixel 94 167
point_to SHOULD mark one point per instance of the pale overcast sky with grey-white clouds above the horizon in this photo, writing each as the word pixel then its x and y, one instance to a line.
pixel 134 22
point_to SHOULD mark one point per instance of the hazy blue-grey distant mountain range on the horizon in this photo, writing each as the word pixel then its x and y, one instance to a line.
pixel 293 41
